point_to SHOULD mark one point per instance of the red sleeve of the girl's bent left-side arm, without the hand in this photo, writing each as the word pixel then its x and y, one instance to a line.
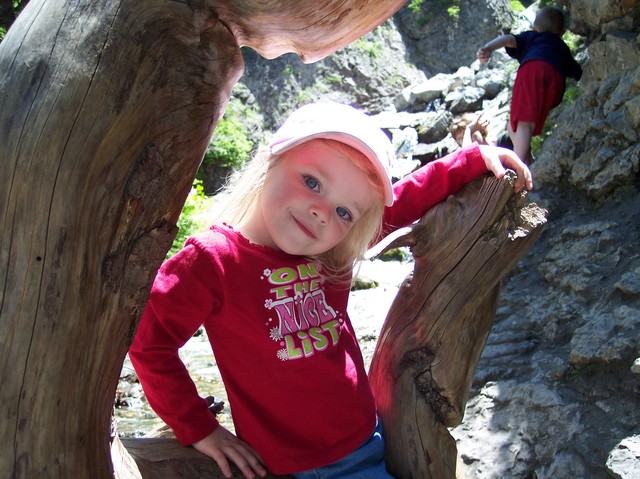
pixel 174 312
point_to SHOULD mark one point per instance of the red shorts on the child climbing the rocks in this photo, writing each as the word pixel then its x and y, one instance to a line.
pixel 538 88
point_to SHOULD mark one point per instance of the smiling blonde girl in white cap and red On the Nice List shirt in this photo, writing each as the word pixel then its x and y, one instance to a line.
pixel 270 283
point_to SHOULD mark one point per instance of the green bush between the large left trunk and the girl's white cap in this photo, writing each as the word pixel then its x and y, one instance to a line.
pixel 230 146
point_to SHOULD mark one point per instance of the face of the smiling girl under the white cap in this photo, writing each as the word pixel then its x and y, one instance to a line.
pixel 310 200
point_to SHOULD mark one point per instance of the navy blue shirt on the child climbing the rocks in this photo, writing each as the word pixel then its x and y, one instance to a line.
pixel 547 47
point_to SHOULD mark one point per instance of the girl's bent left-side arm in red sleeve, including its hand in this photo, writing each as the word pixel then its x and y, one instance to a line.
pixel 180 300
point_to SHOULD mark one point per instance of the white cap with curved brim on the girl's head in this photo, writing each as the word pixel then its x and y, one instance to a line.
pixel 334 121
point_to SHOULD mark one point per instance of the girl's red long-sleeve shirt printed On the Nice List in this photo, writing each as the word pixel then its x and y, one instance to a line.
pixel 283 341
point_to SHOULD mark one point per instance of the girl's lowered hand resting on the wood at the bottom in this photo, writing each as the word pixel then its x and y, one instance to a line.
pixel 222 446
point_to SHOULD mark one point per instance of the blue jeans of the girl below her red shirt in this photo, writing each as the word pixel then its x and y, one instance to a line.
pixel 366 462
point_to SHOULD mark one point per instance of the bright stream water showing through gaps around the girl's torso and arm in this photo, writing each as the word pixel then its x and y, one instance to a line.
pixel 367 310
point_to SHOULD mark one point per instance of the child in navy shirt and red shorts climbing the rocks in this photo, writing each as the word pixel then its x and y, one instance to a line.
pixel 545 63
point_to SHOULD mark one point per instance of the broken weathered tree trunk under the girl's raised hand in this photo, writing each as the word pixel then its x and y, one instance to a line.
pixel 435 331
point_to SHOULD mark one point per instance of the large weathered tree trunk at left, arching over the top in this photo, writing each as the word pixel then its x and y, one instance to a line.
pixel 106 108
